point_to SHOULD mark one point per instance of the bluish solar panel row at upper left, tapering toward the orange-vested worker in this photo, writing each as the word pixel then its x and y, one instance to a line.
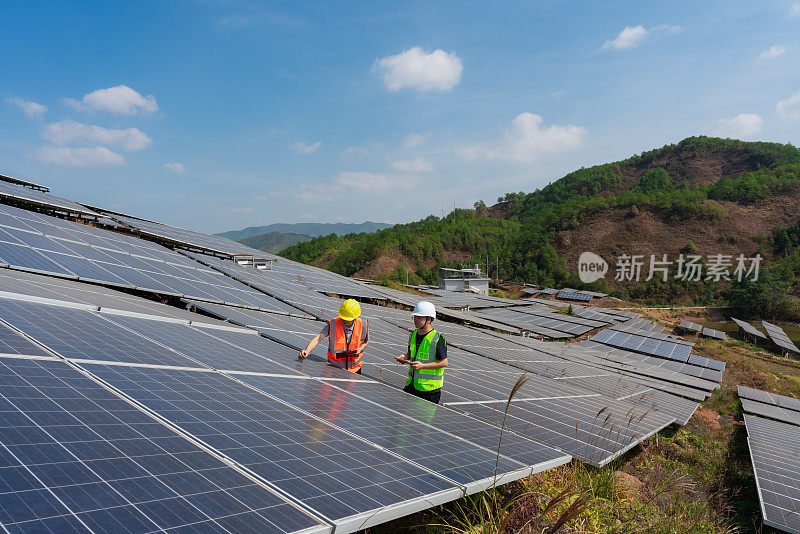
pixel 40 243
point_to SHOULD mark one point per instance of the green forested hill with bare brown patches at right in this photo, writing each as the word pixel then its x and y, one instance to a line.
pixel 703 195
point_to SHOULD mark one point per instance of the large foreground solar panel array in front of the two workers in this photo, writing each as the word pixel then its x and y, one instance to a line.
pixel 320 447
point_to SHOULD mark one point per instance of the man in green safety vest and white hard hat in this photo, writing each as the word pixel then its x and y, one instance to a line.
pixel 426 356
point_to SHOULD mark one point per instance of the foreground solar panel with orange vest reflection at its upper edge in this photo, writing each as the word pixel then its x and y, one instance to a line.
pixel 345 479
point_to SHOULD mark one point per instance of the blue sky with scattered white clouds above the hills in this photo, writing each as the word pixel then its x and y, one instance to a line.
pixel 216 115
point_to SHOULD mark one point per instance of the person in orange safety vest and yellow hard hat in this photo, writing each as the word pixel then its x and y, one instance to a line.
pixel 348 336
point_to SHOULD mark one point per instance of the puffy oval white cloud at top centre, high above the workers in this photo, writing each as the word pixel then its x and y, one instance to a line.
pixel 420 70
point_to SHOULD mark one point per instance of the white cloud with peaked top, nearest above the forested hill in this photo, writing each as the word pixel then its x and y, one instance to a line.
pixel 525 140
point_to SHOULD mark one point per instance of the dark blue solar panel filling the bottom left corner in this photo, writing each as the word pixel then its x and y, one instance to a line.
pixel 75 457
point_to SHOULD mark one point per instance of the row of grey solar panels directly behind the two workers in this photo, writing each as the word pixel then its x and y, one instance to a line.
pixel 553 411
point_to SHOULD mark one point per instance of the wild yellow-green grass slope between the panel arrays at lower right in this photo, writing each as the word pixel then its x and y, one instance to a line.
pixel 692 479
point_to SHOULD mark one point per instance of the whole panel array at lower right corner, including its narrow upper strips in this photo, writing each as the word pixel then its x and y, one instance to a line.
pixel 773 435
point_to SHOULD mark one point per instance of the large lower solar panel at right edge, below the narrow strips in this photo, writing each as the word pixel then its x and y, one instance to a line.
pixel 775 454
